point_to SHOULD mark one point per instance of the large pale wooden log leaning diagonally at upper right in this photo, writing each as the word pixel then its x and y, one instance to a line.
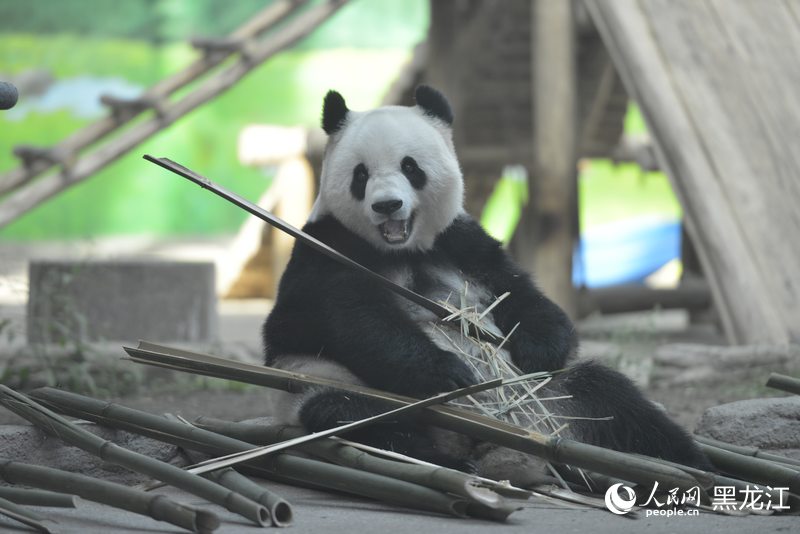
pixel 715 82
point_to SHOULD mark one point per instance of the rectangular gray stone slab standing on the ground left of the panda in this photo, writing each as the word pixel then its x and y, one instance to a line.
pixel 73 302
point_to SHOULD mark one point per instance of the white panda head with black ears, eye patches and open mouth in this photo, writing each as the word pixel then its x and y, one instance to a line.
pixel 390 175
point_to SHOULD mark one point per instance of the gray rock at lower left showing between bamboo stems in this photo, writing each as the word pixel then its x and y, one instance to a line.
pixel 28 444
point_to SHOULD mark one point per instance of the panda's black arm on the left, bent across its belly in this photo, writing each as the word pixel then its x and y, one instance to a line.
pixel 326 309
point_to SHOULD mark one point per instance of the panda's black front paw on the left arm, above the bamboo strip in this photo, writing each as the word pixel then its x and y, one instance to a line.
pixel 441 371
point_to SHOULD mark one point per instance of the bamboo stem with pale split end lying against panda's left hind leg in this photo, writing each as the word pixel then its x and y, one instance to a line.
pixel 440 478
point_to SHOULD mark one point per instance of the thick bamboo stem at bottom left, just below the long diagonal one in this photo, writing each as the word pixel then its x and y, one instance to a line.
pixel 157 507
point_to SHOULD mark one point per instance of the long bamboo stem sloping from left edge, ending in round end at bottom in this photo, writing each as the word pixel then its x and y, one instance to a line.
pixel 113 453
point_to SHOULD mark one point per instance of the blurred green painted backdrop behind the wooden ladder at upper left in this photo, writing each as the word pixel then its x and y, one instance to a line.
pixel 133 197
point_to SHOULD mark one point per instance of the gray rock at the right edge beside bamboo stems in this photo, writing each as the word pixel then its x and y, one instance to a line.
pixel 772 425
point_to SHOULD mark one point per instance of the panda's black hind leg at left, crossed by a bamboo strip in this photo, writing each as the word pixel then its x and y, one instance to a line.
pixel 326 409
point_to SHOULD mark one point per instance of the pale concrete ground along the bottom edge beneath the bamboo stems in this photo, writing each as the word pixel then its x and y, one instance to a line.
pixel 316 511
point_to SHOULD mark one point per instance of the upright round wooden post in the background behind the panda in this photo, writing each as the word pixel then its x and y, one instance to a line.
pixel 545 237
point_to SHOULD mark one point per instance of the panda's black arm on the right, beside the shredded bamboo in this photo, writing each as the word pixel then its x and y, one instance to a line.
pixel 545 338
